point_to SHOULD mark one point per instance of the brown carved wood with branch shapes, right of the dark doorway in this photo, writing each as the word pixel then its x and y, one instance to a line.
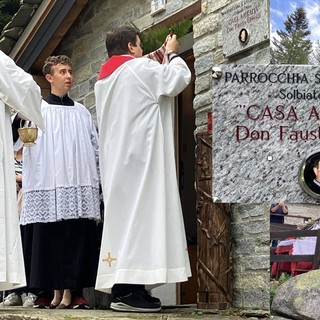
pixel 214 263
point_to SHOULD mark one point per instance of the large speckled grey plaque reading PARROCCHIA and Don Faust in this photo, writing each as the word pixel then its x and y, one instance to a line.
pixel 266 133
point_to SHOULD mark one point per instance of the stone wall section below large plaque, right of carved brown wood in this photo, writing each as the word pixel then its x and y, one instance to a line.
pixel 251 255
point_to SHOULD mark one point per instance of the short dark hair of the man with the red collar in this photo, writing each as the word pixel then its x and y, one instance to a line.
pixel 118 38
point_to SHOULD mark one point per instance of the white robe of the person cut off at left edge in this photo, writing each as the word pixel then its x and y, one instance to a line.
pixel 19 91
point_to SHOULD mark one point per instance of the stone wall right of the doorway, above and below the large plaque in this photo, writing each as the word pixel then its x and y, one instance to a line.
pixel 250 222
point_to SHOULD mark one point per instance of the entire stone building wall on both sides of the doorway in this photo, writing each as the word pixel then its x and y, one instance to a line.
pixel 85 45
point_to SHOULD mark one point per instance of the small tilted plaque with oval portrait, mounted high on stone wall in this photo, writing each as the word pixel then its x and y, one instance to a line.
pixel 244 25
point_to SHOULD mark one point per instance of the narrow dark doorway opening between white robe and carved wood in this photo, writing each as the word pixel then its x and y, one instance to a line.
pixel 185 148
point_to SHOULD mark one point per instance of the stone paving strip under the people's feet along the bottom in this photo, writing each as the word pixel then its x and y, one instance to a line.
pixel 21 313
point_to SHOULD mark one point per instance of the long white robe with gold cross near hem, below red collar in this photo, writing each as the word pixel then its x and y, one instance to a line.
pixel 143 238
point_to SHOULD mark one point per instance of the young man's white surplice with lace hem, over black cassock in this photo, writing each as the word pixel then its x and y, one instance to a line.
pixel 60 173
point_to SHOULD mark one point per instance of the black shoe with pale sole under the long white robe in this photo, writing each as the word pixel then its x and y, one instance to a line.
pixel 134 302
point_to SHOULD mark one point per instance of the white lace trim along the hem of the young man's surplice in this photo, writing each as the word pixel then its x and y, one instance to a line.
pixel 60 203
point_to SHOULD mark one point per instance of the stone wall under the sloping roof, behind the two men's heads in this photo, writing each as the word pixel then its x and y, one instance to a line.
pixel 85 43
